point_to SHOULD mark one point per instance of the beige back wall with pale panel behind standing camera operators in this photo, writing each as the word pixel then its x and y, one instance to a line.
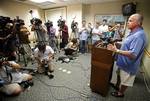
pixel 70 12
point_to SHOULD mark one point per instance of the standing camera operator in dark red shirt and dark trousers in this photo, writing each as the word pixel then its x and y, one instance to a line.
pixel 63 34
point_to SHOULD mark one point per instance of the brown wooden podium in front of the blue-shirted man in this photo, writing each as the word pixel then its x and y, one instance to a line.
pixel 101 68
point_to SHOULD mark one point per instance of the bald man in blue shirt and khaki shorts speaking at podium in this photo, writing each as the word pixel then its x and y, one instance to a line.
pixel 130 54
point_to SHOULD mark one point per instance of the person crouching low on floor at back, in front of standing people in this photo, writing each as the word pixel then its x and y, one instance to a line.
pixel 71 47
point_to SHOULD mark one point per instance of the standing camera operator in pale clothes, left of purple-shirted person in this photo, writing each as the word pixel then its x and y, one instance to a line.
pixel 39 29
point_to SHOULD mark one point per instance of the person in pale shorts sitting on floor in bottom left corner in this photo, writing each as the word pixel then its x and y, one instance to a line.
pixel 13 82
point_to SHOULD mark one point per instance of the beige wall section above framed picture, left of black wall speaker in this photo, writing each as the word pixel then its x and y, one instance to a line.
pixel 102 8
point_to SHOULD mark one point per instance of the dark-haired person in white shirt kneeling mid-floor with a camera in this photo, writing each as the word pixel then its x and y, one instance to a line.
pixel 43 55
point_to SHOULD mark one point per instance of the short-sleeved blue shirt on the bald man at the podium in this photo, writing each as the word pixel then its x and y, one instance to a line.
pixel 135 43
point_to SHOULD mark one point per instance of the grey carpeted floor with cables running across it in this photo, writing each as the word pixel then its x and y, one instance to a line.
pixel 71 83
